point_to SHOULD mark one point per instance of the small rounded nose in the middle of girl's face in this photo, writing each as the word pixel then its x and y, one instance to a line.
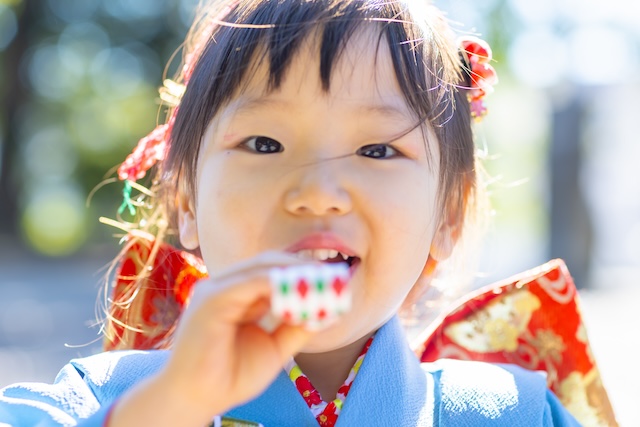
pixel 318 190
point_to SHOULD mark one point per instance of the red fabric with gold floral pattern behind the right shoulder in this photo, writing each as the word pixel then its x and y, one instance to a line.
pixel 532 320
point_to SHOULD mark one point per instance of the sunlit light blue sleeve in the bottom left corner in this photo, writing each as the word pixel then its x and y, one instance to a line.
pixel 69 401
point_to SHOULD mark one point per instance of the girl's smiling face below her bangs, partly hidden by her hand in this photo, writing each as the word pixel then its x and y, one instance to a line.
pixel 304 170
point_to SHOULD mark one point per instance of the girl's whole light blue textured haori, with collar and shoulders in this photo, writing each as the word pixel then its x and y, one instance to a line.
pixel 392 388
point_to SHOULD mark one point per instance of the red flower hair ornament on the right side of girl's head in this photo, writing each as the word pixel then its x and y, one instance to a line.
pixel 478 56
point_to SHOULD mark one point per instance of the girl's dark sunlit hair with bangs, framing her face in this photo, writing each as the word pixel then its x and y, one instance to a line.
pixel 230 39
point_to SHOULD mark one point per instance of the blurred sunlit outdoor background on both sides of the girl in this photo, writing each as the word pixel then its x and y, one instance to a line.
pixel 78 87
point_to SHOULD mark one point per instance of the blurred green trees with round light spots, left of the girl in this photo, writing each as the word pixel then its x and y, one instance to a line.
pixel 78 85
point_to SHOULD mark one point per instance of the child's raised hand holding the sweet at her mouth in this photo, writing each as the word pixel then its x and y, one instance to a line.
pixel 220 356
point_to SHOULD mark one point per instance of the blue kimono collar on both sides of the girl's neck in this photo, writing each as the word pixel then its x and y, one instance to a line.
pixel 389 386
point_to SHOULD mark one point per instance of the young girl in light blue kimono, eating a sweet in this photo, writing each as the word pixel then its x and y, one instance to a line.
pixel 309 131
